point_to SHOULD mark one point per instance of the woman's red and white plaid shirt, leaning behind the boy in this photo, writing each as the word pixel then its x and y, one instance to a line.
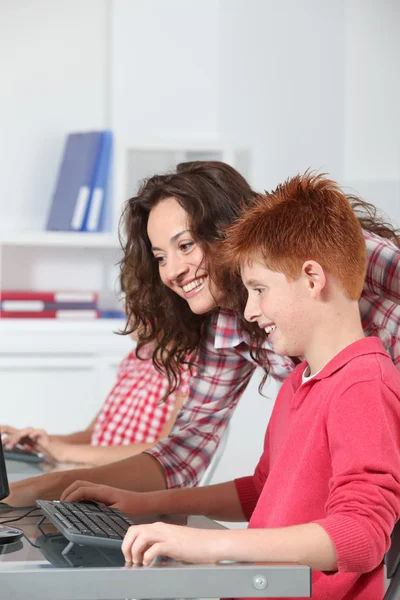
pixel 224 368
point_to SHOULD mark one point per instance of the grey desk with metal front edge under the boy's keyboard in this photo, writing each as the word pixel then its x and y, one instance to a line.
pixel 87 573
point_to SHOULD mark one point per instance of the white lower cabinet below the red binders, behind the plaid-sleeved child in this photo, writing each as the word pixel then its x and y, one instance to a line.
pixel 55 374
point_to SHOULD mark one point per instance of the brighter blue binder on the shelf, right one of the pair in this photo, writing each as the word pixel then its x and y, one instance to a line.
pixel 95 219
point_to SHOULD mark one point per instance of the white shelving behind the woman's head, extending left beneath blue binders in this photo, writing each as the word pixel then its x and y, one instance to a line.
pixel 73 260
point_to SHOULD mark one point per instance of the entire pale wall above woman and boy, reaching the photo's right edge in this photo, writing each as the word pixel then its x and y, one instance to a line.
pixel 315 84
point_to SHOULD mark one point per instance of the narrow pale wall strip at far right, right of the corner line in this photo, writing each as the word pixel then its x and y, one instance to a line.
pixel 372 100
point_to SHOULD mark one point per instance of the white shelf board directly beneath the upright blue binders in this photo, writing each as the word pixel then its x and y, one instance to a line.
pixel 65 239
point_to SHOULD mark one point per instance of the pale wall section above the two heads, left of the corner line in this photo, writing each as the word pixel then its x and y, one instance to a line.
pixel 282 88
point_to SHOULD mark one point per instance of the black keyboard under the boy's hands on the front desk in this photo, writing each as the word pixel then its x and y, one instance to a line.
pixel 87 523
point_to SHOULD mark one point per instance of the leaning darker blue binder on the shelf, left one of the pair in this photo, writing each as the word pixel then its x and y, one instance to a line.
pixel 72 193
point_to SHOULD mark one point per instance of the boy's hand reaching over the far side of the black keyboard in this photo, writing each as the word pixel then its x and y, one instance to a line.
pixel 131 503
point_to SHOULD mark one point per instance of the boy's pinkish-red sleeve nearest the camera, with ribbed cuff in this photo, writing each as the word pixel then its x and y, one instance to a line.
pixel 364 490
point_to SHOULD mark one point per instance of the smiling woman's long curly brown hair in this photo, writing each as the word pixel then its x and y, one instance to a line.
pixel 213 194
